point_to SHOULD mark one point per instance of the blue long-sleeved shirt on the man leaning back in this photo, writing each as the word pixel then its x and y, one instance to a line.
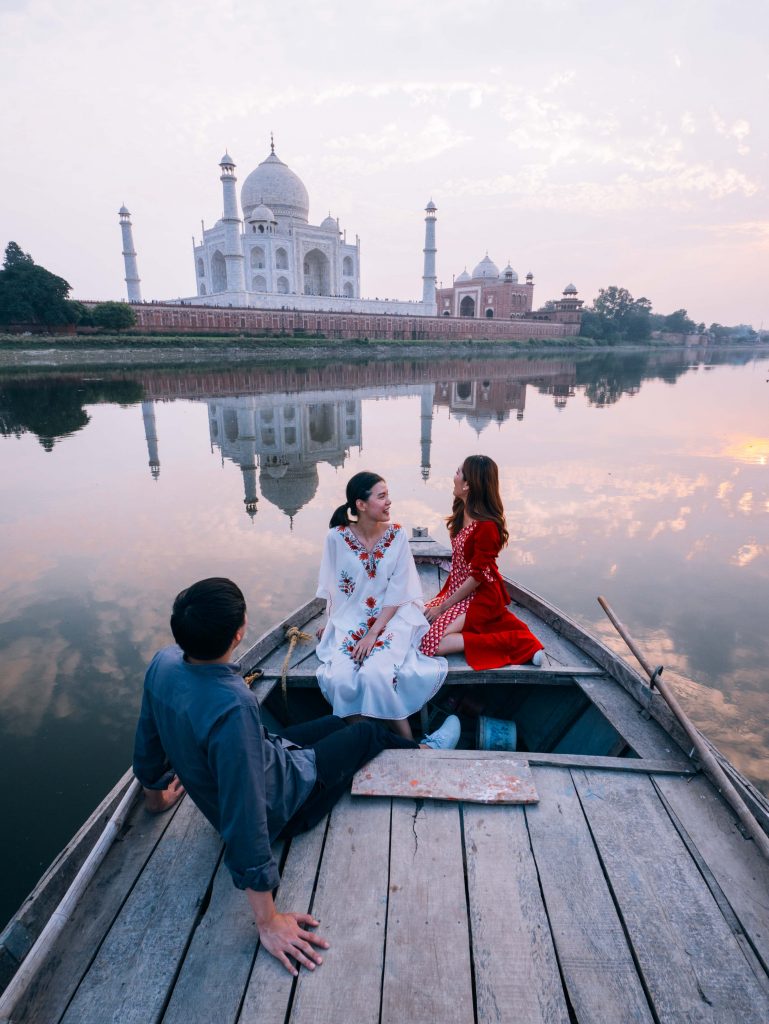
pixel 202 723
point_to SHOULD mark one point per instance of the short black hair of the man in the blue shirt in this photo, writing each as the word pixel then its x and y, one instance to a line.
pixel 206 618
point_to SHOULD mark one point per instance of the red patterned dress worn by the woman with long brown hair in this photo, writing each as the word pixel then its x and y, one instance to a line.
pixel 493 635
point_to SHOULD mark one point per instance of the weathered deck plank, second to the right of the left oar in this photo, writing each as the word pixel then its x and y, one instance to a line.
pixel 131 978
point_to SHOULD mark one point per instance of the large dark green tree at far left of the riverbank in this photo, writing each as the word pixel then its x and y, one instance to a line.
pixel 30 294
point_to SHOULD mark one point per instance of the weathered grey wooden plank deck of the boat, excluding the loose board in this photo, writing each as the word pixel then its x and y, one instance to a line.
pixel 621 897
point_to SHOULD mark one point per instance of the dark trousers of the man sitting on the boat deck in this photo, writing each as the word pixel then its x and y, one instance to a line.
pixel 340 751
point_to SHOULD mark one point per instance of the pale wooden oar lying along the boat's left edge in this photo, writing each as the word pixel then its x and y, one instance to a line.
pixel 34 960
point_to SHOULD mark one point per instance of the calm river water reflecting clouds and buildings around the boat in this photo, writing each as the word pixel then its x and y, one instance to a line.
pixel 642 478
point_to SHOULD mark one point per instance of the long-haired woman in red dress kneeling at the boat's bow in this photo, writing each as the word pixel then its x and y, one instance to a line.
pixel 471 614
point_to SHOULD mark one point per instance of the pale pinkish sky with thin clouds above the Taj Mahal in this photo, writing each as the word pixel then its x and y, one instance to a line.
pixel 595 142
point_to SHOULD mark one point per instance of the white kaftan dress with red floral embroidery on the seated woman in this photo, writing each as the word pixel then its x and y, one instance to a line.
pixel 396 680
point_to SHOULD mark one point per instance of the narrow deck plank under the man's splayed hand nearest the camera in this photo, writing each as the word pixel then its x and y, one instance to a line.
pixel 271 988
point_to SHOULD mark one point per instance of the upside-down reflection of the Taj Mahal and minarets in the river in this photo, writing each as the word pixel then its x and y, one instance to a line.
pixel 278 441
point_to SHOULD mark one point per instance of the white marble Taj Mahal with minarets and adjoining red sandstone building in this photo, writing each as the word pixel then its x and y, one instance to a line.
pixel 265 254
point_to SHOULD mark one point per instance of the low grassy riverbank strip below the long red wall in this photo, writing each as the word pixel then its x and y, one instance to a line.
pixel 134 351
